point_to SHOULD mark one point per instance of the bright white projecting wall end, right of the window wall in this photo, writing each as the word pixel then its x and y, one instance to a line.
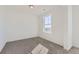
pixel 68 30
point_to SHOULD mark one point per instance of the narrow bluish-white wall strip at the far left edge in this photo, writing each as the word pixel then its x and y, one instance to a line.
pixel 2 28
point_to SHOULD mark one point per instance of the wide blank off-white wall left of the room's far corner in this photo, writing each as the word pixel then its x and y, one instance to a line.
pixel 20 25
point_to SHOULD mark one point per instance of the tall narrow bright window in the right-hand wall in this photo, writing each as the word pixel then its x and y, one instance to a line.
pixel 47 24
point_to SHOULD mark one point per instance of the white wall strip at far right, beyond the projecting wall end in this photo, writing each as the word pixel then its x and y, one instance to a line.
pixel 75 16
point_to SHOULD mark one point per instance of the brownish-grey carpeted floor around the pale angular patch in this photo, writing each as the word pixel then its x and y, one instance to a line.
pixel 27 45
